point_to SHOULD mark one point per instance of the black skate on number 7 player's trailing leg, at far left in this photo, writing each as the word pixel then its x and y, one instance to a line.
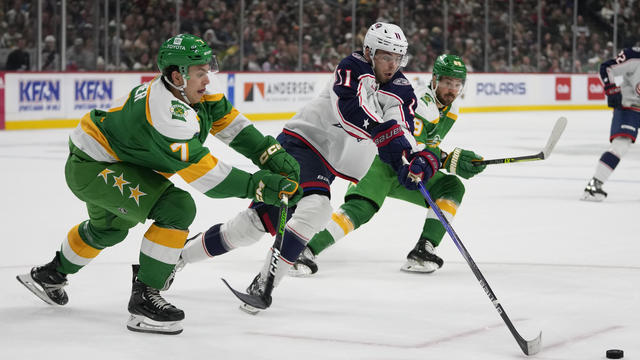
pixel 46 282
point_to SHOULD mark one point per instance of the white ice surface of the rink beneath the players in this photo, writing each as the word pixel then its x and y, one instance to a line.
pixel 565 267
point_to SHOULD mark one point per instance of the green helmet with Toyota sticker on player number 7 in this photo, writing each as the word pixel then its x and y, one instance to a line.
pixel 185 50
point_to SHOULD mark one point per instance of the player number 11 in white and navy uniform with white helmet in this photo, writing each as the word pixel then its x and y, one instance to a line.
pixel 367 109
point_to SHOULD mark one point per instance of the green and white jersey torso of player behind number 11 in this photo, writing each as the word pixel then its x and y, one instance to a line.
pixel 431 123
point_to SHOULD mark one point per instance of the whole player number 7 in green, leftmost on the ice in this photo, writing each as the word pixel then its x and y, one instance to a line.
pixel 119 163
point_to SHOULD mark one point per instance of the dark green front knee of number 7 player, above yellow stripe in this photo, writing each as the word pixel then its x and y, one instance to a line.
pixel 175 209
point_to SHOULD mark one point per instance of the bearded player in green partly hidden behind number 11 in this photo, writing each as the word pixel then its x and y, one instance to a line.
pixel 436 113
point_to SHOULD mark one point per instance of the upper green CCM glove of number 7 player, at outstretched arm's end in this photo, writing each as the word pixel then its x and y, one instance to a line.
pixel 274 158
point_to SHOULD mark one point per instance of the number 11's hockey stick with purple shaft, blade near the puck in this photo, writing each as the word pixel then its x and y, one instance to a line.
pixel 529 347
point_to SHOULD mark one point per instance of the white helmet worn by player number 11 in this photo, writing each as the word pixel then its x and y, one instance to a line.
pixel 388 37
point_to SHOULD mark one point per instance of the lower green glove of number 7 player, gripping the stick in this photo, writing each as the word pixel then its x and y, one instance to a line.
pixel 268 187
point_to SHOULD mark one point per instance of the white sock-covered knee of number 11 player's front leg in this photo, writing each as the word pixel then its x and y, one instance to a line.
pixel 311 215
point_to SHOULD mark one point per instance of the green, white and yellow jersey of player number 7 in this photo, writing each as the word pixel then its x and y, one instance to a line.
pixel 154 129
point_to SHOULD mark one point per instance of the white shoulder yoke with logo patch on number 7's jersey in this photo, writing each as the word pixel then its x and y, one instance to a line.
pixel 170 116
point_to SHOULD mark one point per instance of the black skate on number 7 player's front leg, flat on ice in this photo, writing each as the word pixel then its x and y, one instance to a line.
pixel 150 312
